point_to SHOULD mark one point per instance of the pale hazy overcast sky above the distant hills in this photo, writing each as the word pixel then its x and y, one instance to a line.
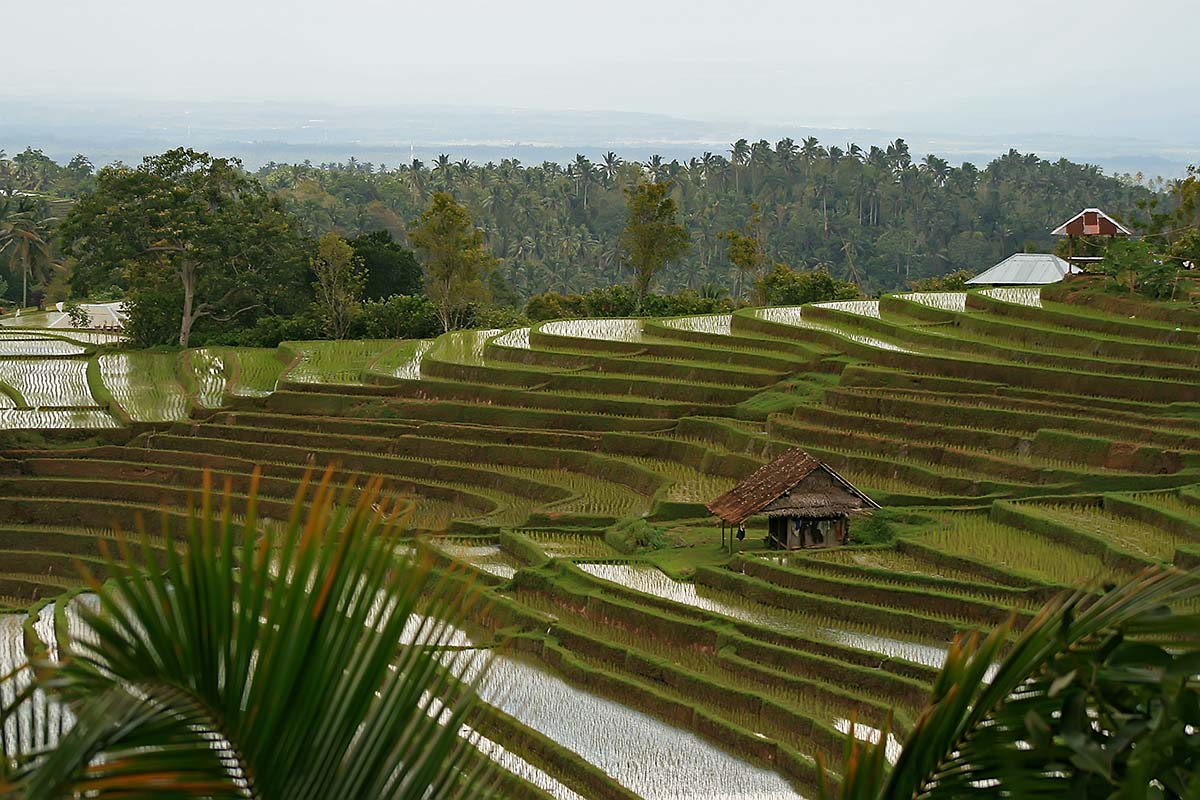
pixel 1123 69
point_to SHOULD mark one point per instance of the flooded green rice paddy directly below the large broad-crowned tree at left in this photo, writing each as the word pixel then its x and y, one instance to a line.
pixel 145 384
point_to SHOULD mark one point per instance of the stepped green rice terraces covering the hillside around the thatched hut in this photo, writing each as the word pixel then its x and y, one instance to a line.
pixel 565 467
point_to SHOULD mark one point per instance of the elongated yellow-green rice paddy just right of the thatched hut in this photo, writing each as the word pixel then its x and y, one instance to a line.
pixel 1018 551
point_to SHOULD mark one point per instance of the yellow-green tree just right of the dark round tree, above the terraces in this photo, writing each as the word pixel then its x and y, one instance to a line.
pixel 457 263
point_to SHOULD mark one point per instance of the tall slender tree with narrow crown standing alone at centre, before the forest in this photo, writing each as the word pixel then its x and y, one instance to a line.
pixel 653 236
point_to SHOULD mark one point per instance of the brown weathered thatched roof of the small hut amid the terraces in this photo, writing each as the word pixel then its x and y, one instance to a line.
pixel 770 491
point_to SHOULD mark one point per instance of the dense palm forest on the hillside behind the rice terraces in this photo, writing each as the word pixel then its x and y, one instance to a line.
pixel 873 216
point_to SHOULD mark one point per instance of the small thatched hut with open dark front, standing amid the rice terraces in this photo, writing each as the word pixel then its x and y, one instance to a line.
pixel 807 503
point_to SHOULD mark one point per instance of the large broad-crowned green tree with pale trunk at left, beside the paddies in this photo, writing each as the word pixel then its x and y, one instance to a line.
pixel 189 230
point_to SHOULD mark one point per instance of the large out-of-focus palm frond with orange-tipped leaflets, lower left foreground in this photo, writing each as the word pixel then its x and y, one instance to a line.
pixel 259 661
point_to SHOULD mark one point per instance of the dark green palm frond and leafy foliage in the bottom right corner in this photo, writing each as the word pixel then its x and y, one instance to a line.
pixel 1096 699
